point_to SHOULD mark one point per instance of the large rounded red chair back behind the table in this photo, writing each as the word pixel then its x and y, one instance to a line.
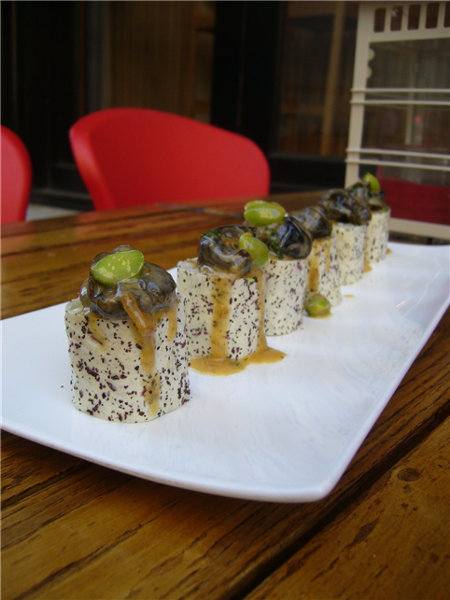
pixel 132 156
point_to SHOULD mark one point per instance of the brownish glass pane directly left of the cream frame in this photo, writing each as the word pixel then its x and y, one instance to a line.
pixel 317 75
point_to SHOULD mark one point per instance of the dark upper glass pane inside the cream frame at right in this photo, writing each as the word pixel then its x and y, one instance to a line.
pixel 403 120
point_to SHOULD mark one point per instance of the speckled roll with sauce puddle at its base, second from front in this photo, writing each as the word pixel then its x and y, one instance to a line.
pixel 224 289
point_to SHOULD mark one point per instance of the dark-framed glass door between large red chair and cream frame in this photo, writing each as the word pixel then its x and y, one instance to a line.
pixel 288 84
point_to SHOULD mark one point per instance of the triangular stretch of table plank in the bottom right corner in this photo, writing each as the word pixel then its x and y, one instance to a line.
pixel 392 543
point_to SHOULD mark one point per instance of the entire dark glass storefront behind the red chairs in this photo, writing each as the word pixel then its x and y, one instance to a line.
pixel 277 71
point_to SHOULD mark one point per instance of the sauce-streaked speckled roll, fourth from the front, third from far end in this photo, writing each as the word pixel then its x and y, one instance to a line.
pixel 324 277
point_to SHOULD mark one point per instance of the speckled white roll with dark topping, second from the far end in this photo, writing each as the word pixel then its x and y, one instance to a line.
pixel 350 216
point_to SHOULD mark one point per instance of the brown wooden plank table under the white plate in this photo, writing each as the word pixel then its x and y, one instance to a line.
pixel 72 529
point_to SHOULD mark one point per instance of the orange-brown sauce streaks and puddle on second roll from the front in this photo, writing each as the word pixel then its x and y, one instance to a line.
pixel 218 363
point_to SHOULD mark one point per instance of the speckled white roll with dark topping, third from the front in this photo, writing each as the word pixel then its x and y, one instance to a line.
pixel 287 274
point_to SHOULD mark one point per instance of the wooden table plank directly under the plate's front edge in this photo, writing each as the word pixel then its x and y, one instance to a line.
pixel 196 545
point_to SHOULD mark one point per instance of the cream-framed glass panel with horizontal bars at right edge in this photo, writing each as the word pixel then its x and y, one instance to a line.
pixel 400 108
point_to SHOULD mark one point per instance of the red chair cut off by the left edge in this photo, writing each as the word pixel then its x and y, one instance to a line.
pixel 15 177
